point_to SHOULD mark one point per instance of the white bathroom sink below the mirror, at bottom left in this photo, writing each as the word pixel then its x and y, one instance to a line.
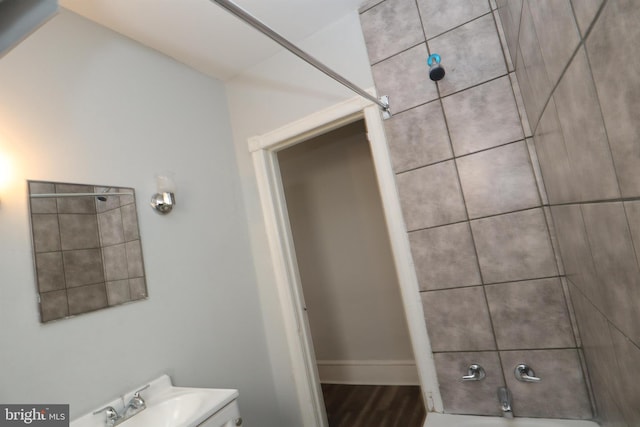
pixel 168 406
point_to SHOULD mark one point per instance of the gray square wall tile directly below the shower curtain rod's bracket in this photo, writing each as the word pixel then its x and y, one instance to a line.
pixel 418 137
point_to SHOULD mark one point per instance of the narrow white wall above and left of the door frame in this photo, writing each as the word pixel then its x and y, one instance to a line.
pixel 276 92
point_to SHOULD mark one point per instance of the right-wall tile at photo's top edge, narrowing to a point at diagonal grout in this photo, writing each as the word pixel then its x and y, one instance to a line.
pixel 554 21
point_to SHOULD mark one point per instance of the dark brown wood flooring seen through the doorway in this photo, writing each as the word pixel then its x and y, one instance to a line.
pixel 373 405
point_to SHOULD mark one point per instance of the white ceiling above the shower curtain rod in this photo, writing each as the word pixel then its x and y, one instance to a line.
pixel 205 36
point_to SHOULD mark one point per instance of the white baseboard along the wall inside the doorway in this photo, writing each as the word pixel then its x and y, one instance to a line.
pixel 369 372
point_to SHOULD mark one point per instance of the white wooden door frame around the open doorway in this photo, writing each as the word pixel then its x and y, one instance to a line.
pixel 264 150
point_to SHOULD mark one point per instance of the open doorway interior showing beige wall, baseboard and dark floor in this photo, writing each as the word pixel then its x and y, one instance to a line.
pixel 352 296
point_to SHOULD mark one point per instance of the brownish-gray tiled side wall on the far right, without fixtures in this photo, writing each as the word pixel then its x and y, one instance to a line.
pixel 577 64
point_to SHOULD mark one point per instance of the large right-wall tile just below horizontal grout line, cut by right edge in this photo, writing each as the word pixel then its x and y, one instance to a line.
pixel 616 265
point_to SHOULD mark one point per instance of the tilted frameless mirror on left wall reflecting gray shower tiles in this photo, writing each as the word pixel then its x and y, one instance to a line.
pixel 86 246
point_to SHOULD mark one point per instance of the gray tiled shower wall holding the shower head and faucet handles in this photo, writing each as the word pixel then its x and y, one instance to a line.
pixel 474 208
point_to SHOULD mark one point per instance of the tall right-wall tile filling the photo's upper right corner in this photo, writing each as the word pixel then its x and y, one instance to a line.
pixel 615 71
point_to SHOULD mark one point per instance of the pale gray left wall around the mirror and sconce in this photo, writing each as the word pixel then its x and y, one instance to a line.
pixel 81 104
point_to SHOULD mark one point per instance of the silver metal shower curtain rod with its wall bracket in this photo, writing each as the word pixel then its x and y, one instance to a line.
pixel 236 10
